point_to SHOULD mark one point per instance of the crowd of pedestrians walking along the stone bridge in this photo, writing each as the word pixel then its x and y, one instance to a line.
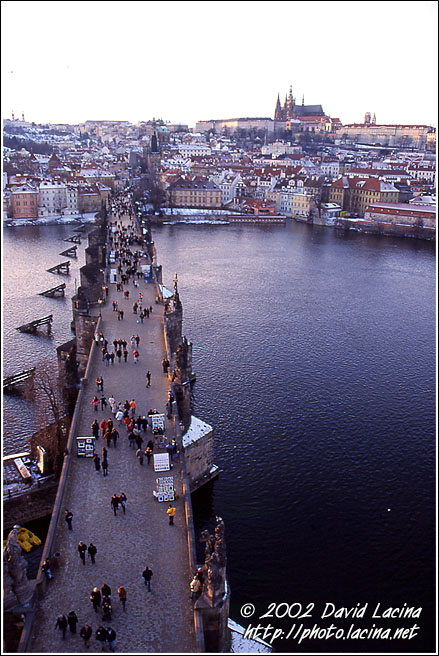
pixel 115 419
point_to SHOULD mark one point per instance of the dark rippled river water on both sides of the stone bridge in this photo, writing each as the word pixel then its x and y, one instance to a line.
pixel 314 351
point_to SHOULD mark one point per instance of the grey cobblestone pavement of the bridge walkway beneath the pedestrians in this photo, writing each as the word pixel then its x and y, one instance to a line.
pixel 160 621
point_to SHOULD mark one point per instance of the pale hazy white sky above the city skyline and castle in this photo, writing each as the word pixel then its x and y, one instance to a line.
pixel 67 62
